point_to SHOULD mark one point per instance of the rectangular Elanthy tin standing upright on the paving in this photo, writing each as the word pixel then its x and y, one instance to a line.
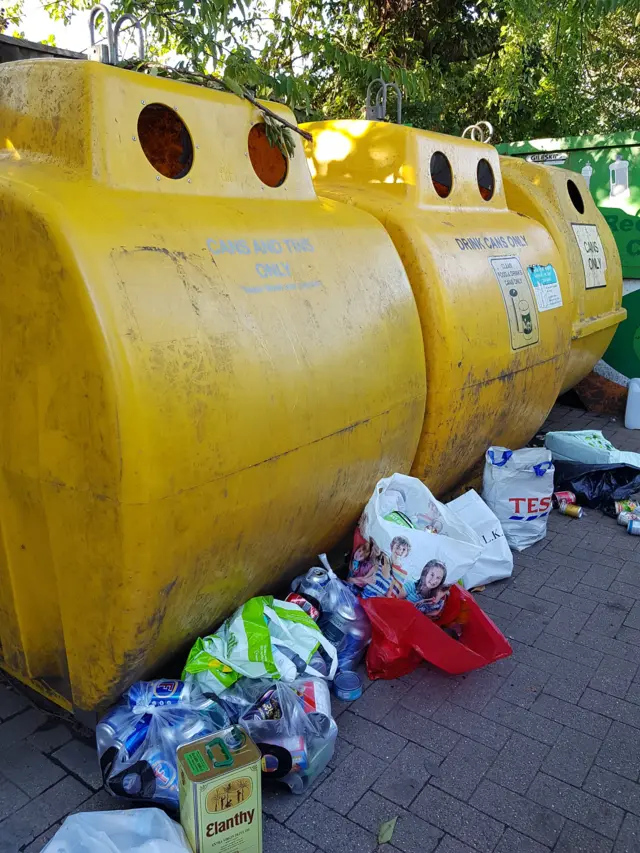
pixel 221 793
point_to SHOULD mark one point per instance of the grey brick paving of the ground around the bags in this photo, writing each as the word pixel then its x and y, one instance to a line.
pixel 538 752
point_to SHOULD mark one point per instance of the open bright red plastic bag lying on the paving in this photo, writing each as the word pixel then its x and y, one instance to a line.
pixel 402 637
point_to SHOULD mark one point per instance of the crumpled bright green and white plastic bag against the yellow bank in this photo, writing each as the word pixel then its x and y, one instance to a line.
pixel 265 638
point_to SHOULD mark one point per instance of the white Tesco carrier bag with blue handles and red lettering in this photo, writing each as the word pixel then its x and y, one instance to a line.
pixel 518 487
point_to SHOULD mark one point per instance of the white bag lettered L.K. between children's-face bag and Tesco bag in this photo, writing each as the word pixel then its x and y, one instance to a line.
pixel 496 560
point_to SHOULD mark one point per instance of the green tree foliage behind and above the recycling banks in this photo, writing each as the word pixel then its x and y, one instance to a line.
pixel 531 67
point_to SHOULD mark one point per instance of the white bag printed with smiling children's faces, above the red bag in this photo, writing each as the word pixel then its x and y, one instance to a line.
pixel 409 545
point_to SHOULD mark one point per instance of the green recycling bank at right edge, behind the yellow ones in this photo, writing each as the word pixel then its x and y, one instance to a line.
pixel 610 166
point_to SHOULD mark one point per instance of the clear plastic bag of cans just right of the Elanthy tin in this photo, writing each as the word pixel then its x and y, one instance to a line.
pixel 291 724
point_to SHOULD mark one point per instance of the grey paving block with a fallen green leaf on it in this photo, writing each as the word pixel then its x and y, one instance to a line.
pixel 411 833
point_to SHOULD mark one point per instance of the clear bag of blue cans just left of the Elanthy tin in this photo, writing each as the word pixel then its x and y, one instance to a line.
pixel 138 738
